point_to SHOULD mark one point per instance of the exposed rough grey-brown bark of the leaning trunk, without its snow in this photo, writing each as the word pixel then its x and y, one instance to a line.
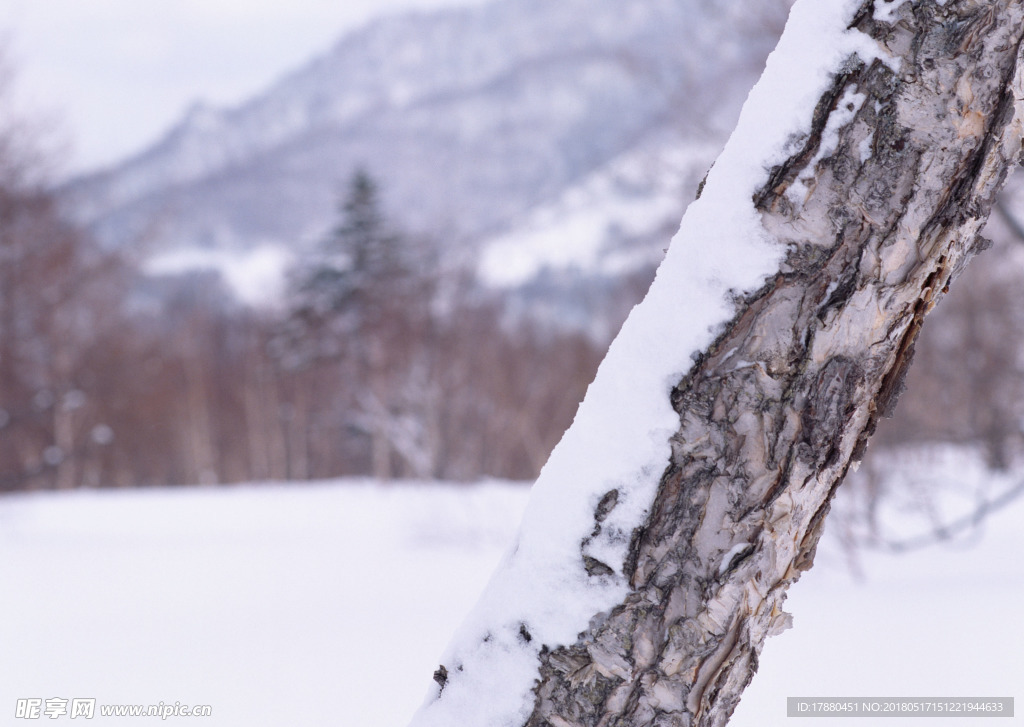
pixel 879 207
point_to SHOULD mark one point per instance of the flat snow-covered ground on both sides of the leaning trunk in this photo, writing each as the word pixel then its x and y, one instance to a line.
pixel 330 605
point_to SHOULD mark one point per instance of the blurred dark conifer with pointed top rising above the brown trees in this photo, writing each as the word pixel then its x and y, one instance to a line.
pixel 356 314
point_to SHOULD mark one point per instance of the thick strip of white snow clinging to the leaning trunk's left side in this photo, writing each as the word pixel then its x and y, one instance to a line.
pixel 620 438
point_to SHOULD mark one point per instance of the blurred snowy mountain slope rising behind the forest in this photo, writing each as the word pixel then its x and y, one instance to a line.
pixel 523 126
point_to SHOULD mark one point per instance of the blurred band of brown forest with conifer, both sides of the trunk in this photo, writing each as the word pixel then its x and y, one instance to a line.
pixel 383 361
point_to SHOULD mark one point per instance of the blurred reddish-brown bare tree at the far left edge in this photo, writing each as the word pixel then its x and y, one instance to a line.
pixel 58 302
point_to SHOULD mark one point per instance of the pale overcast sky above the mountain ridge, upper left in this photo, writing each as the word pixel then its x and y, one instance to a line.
pixel 115 74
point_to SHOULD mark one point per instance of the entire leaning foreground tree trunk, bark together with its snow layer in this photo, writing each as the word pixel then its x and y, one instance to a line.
pixel 693 488
